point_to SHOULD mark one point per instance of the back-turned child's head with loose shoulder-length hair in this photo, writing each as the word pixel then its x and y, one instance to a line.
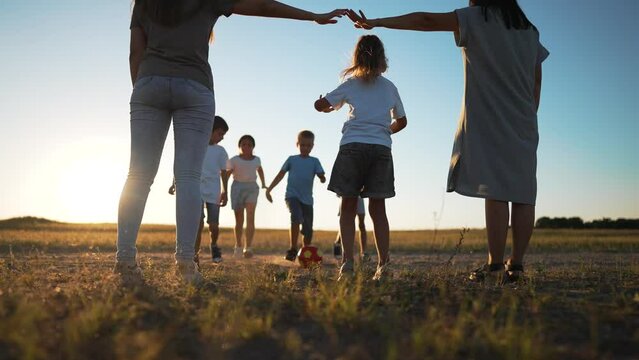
pixel 369 59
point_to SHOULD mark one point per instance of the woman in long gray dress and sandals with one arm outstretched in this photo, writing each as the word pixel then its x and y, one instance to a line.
pixel 495 151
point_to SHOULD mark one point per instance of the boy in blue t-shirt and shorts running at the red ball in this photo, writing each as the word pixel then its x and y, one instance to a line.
pixel 301 170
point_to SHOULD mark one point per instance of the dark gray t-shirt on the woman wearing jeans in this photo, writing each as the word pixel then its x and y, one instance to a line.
pixel 181 50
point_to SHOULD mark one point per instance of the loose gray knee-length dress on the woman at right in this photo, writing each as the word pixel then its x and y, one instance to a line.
pixel 495 150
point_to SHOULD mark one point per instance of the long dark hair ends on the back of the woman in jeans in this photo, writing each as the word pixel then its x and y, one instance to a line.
pixel 166 12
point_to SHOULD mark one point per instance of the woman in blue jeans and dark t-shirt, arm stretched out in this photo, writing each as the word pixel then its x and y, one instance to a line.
pixel 172 82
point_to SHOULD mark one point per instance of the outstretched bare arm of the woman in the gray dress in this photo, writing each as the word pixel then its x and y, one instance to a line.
pixel 418 21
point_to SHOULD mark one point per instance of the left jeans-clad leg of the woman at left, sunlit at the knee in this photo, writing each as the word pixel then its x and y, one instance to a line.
pixel 149 127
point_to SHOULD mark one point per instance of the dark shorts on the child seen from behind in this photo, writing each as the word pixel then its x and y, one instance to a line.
pixel 364 170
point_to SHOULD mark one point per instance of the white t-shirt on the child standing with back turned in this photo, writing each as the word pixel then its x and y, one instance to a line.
pixel 372 108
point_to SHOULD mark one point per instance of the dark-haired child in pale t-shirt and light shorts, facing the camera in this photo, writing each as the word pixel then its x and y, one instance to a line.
pixel 244 192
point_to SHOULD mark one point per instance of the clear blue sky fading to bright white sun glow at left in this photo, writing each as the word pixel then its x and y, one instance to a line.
pixel 65 87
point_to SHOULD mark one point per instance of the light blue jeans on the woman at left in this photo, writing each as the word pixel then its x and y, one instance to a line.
pixel 154 102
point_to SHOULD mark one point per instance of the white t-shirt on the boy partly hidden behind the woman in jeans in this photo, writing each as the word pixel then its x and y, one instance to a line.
pixel 214 162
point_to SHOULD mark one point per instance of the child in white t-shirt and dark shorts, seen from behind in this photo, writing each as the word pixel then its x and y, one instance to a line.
pixel 364 164
